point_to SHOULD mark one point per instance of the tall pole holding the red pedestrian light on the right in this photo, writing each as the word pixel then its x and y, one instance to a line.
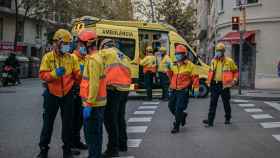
pixel 242 31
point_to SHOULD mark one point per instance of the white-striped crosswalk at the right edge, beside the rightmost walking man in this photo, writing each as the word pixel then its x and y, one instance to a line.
pixel 258 113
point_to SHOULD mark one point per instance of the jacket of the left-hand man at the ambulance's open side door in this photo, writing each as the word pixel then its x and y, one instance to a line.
pixel 149 64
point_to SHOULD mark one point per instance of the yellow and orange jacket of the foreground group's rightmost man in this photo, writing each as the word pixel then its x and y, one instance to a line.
pixel 118 74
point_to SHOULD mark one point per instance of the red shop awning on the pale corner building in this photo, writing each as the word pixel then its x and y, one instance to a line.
pixel 234 37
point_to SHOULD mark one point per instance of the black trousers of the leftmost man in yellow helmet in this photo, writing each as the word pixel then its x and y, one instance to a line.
pixel 51 106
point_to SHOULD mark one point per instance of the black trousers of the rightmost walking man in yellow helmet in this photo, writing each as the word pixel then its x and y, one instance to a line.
pixel 217 90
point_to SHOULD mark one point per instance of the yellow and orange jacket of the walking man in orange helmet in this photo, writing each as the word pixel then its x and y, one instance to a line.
pixel 183 76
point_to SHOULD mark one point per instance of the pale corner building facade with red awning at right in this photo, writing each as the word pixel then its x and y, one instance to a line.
pixel 261 51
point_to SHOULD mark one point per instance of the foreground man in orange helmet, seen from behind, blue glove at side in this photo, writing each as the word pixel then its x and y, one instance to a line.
pixel 93 93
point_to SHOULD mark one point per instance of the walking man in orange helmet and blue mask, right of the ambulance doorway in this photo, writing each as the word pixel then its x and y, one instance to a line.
pixel 183 78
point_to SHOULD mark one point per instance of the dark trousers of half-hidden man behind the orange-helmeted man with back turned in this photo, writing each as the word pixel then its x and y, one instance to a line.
pixel 77 117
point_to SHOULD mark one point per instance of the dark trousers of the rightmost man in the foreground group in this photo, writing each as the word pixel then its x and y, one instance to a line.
pixel 114 119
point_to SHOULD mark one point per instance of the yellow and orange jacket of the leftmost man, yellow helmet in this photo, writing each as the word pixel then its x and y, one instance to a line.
pixel 58 86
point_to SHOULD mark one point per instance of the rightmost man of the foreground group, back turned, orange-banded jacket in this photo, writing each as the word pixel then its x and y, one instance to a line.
pixel 118 79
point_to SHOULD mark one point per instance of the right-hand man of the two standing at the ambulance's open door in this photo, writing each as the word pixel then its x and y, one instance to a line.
pixel 162 72
